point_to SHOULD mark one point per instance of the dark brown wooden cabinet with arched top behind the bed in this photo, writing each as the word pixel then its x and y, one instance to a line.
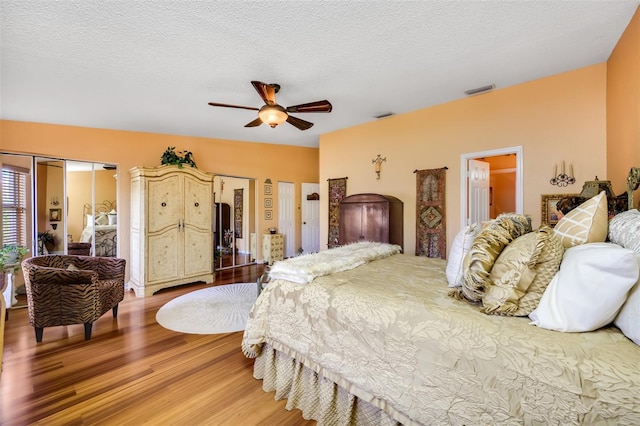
pixel 371 217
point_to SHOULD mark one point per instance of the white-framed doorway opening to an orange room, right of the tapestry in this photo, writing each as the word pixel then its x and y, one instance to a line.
pixel 506 179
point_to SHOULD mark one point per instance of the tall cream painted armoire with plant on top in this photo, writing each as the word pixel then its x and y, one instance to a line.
pixel 171 228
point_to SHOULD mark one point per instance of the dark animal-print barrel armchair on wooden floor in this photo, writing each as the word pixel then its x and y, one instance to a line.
pixel 67 289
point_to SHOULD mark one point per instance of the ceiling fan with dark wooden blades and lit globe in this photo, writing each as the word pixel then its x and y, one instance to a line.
pixel 274 114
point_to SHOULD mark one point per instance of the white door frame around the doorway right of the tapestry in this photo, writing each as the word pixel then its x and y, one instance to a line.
pixel 464 174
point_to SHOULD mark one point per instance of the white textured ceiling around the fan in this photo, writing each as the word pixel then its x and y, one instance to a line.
pixel 153 65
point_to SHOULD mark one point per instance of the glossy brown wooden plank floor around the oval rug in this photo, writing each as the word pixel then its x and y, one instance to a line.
pixel 134 371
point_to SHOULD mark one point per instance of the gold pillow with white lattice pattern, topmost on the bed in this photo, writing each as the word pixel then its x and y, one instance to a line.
pixel 587 223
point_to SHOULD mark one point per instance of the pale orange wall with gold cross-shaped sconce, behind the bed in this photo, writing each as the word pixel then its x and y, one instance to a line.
pixel 562 117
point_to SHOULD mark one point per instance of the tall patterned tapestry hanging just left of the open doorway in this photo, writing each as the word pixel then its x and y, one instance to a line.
pixel 431 223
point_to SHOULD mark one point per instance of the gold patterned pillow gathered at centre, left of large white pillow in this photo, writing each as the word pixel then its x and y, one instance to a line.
pixel 522 272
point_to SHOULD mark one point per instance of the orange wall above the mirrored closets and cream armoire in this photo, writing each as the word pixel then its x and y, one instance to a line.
pixel 130 149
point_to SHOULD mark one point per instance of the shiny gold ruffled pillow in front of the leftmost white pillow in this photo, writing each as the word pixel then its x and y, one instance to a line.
pixel 484 251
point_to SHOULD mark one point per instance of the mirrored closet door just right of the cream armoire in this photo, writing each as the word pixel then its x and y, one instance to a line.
pixel 235 236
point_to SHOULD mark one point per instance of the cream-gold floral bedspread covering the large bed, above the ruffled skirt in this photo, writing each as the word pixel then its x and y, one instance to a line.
pixel 388 333
